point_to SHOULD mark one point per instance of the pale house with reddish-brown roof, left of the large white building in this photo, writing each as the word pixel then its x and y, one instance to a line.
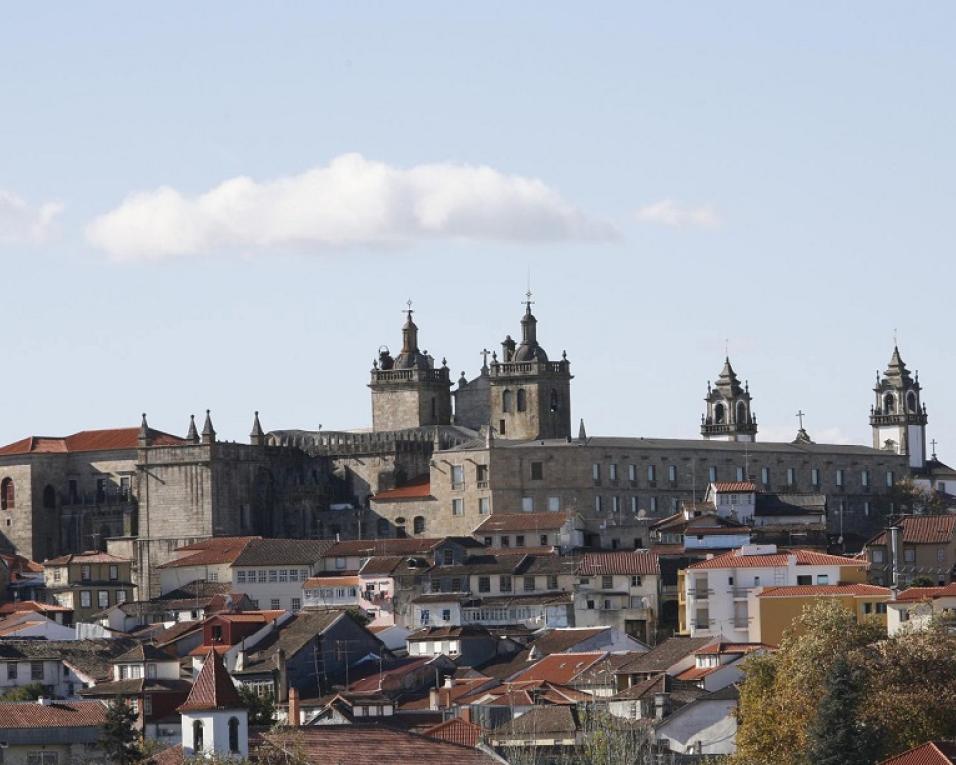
pixel 619 589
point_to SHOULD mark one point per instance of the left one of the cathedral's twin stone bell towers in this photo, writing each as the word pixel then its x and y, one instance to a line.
pixel 407 391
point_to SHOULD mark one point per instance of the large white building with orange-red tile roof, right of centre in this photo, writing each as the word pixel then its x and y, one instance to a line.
pixel 715 591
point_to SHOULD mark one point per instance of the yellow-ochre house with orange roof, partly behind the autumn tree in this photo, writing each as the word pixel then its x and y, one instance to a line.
pixel 774 609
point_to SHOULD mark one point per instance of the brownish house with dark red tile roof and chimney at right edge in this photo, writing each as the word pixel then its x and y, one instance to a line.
pixel 925 549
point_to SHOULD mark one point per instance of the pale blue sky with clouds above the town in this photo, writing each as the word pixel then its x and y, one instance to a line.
pixel 227 205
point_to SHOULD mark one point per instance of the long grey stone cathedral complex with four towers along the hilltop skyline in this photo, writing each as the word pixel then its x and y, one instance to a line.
pixel 440 457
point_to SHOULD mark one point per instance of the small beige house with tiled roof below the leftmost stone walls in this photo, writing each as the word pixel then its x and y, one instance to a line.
pixel 88 582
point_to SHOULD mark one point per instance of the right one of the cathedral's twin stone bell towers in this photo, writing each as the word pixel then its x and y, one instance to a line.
pixel 530 396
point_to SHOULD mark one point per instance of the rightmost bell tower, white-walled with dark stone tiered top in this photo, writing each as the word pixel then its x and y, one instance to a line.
pixel 898 417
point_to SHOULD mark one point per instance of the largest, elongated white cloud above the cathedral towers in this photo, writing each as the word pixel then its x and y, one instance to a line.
pixel 352 201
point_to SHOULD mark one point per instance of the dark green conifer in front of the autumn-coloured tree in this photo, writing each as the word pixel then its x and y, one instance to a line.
pixel 837 736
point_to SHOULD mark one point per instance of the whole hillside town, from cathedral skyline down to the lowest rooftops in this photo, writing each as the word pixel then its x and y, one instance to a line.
pixel 470 581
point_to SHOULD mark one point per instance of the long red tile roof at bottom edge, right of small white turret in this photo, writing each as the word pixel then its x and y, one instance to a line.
pixel 373 743
